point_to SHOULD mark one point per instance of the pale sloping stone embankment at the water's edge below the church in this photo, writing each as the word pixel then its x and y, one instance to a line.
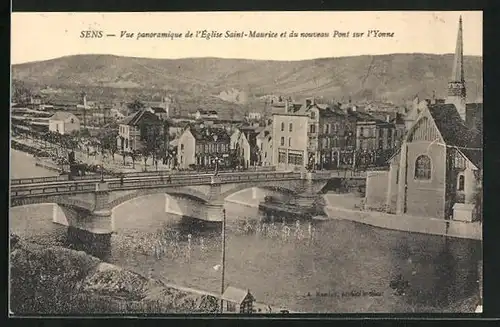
pixel 335 209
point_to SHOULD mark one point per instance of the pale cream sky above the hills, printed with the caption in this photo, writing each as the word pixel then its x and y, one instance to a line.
pixel 43 36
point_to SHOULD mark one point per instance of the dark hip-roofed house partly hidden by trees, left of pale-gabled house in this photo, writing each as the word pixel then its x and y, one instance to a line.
pixel 129 130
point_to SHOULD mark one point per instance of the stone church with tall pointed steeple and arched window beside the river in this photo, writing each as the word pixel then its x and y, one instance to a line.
pixel 437 171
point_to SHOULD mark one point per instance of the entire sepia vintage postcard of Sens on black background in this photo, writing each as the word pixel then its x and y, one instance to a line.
pixel 246 163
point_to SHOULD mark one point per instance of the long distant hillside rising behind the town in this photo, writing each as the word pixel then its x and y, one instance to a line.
pixel 394 78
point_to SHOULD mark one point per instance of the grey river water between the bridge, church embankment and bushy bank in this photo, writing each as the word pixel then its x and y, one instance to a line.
pixel 329 266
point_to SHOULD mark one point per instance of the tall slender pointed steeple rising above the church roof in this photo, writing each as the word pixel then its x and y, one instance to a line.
pixel 456 85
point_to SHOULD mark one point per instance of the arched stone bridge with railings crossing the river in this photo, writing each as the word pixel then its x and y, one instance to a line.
pixel 87 205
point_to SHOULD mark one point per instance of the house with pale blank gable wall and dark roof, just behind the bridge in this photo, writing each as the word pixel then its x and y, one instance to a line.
pixel 203 148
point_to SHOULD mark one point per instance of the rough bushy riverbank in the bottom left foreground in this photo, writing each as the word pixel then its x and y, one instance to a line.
pixel 51 279
